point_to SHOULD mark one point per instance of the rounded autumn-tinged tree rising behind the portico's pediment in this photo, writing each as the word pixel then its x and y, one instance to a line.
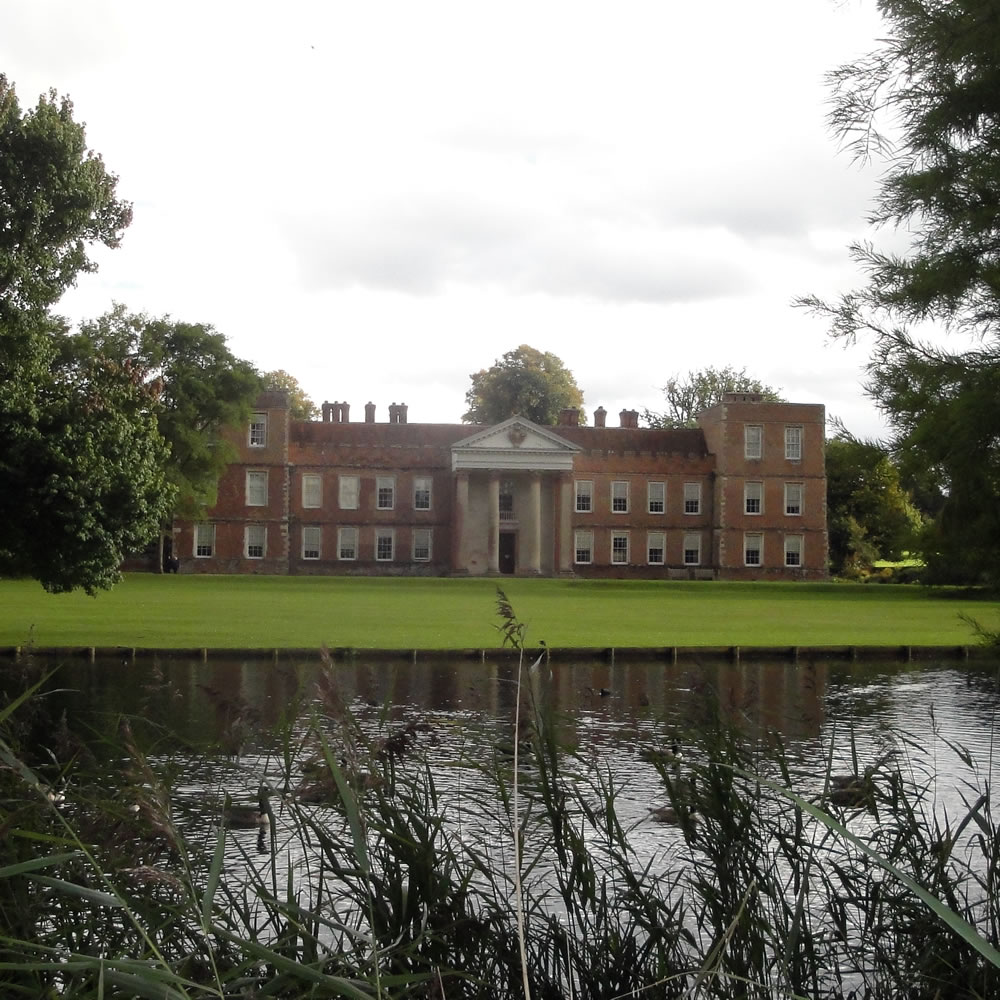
pixel 525 382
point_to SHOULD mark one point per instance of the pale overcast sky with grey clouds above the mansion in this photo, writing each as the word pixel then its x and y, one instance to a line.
pixel 384 197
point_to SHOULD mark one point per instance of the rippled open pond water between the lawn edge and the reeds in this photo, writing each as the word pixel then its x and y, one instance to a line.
pixel 227 717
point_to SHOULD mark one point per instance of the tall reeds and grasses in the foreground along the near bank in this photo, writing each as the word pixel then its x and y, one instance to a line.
pixel 375 885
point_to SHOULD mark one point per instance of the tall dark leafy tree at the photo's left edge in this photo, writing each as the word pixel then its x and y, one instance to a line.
pixel 81 471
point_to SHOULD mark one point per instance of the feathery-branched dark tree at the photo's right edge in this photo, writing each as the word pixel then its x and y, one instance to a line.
pixel 928 101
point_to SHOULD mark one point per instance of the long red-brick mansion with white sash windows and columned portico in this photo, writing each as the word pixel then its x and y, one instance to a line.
pixel 742 496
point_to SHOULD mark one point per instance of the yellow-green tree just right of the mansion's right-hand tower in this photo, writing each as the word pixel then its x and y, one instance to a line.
pixel 869 514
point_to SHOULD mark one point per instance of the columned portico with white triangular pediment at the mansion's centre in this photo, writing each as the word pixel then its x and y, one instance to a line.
pixel 513 501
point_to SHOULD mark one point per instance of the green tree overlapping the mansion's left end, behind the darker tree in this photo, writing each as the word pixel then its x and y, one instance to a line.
pixel 203 390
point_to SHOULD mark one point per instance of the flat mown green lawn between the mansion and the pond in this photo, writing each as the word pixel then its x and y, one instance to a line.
pixel 306 612
